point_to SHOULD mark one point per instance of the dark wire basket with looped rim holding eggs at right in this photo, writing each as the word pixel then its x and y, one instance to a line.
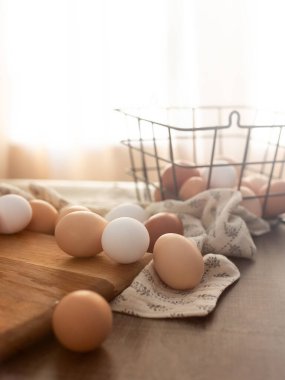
pixel 250 140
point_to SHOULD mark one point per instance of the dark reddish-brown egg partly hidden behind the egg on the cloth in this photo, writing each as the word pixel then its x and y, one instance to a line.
pixel 160 224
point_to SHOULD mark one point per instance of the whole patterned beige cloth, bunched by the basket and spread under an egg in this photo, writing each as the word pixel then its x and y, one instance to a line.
pixel 220 227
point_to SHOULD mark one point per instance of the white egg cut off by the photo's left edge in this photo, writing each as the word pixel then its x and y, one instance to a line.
pixel 15 213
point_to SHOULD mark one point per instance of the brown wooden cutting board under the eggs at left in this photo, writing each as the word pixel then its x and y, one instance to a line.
pixel 35 273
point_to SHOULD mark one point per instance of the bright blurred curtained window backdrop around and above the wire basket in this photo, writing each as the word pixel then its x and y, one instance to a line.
pixel 65 65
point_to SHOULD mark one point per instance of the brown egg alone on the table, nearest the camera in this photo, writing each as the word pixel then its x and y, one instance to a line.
pixel 82 320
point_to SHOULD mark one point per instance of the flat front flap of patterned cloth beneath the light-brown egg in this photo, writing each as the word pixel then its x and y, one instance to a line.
pixel 149 297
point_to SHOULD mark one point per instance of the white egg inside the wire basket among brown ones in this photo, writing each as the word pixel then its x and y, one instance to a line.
pixel 221 176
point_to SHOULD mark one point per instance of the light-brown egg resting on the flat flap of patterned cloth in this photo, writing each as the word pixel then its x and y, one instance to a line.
pixel 178 261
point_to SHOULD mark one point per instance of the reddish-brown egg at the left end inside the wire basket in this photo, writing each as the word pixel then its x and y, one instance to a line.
pixel 182 173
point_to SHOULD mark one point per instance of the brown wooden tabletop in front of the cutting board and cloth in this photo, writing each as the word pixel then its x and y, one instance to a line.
pixel 243 338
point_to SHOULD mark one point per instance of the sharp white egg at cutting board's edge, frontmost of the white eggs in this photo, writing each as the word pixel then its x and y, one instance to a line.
pixel 125 240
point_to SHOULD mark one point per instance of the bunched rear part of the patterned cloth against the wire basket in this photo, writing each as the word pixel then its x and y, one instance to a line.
pixel 216 221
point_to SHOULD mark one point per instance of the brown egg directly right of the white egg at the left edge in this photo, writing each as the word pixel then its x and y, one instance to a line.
pixel 44 217
